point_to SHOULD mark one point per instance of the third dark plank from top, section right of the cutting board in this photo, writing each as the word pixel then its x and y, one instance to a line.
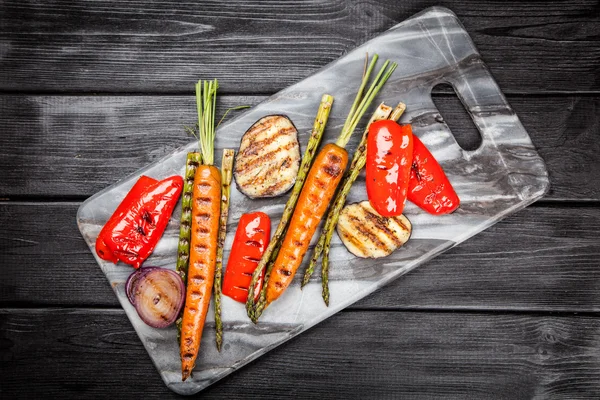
pixel 537 259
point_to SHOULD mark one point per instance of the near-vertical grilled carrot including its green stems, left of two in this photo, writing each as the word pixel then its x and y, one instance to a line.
pixel 206 209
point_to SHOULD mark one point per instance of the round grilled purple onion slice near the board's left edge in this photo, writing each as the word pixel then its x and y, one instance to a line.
pixel 157 294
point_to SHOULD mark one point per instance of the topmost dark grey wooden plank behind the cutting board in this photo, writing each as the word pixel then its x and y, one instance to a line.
pixel 159 46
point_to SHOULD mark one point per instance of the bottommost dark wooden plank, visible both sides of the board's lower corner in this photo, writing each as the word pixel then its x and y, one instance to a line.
pixel 354 355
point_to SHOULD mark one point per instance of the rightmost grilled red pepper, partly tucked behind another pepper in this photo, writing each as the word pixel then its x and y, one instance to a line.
pixel 429 187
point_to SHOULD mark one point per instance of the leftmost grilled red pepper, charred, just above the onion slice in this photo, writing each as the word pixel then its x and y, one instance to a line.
pixel 135 228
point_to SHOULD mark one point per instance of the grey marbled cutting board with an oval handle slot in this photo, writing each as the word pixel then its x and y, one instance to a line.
pixel 504 175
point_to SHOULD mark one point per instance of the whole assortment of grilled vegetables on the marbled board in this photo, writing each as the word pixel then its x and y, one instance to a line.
pixel 268 164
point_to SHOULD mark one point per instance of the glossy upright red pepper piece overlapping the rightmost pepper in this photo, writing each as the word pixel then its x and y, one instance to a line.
pixel 389 159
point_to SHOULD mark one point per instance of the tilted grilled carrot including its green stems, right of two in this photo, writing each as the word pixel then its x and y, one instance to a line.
pixel 318 190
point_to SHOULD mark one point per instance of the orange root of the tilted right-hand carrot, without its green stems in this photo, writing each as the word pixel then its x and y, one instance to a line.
pixel 323 178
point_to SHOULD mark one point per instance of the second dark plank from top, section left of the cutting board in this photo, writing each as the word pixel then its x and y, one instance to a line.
pixel 75 146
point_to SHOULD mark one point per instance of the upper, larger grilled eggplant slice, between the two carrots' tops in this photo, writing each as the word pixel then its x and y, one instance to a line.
pixel 269 158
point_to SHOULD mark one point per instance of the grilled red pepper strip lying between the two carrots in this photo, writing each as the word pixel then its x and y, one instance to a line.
pixel 251 239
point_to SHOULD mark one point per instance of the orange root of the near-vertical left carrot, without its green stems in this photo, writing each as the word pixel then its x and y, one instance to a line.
pixel 206 208
